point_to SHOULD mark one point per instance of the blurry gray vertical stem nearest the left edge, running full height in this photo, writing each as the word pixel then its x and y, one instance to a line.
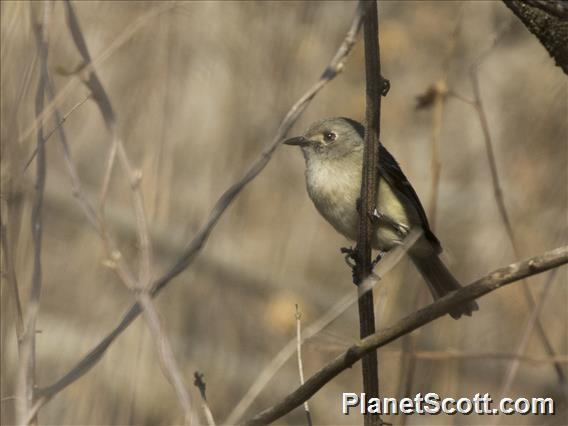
pixel 27 368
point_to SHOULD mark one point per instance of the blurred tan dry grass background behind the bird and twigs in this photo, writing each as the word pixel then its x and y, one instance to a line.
pixel 199 90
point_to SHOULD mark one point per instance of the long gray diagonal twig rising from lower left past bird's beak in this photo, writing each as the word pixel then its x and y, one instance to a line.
pixel 333 69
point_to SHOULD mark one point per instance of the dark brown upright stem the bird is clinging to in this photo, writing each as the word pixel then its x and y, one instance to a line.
pixel 369 190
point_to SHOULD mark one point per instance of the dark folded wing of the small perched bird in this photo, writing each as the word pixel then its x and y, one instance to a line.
pixel 391 172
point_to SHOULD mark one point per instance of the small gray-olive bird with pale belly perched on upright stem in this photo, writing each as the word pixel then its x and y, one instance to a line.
pixel 333 150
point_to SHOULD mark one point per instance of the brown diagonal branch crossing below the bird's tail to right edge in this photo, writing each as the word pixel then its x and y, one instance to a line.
pixel 491 282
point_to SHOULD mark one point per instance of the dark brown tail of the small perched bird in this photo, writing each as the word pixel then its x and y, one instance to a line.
pixel 440 281
